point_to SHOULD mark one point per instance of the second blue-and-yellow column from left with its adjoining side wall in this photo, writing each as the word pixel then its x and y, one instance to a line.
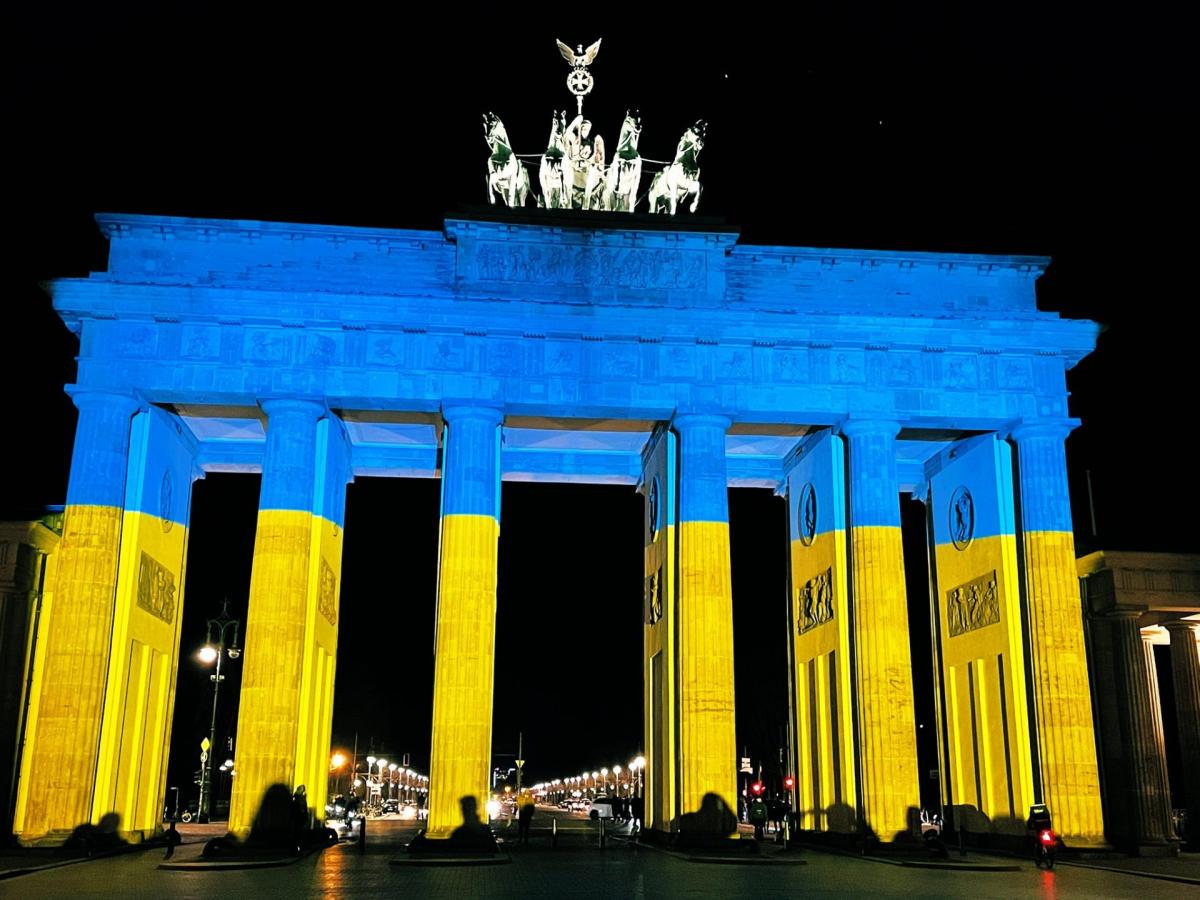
pixel 291 627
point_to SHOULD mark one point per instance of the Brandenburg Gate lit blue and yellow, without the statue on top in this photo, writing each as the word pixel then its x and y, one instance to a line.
pixel 569 346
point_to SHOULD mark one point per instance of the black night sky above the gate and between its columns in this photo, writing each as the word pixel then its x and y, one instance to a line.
pixel 1001 130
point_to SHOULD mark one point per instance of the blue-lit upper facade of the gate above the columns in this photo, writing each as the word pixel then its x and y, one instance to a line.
pixel 584 338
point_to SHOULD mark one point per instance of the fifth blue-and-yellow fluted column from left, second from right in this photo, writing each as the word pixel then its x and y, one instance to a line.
pixel 887 730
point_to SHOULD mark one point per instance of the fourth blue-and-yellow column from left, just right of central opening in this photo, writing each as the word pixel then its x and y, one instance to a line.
pixel 707 735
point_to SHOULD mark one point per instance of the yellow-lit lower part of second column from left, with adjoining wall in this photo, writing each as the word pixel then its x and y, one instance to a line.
pixel 291 645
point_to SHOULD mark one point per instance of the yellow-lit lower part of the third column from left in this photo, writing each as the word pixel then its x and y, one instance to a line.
pixel 464 670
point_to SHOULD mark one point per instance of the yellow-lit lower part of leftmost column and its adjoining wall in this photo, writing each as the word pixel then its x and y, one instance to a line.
pixel 103 695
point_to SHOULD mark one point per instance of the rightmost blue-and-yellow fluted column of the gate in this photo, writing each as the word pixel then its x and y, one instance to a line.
pixel 1066 740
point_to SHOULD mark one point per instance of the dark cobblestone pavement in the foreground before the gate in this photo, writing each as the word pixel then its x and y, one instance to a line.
pixel 575 872
